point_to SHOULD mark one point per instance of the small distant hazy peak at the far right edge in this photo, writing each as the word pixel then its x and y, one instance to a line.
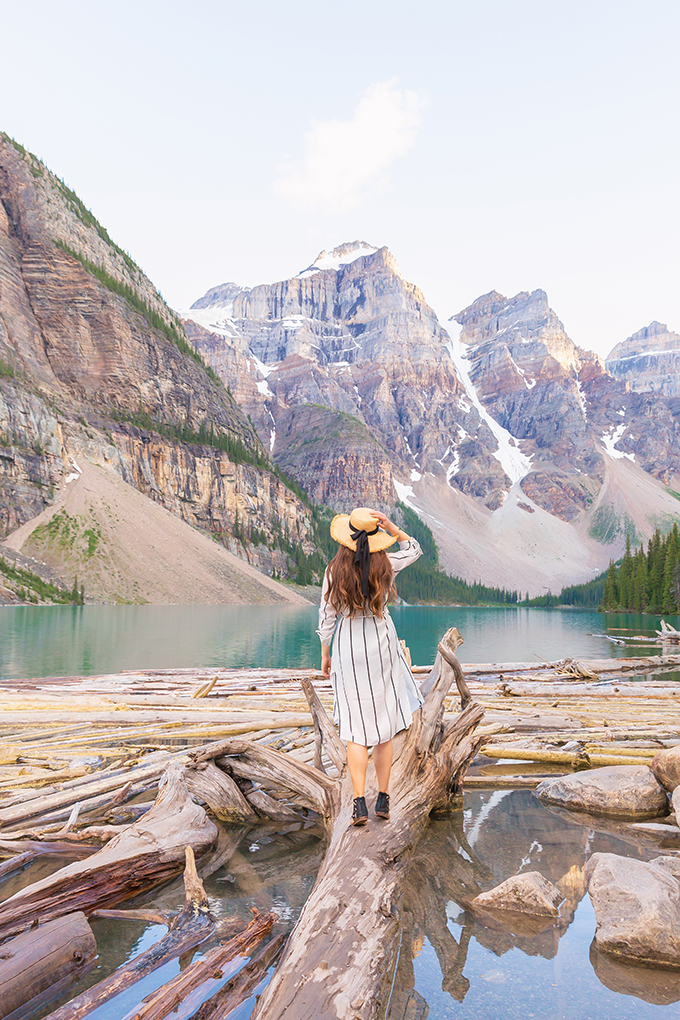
pixel 650 361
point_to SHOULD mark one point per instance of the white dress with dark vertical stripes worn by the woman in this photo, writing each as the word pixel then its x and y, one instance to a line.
pixel 376 692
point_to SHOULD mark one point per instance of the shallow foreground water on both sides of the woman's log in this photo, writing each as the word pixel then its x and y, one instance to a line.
pixel 451 965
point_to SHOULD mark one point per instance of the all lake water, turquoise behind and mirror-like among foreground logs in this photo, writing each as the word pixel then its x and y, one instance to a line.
pixel 451 965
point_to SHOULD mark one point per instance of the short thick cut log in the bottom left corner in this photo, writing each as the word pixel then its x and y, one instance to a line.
pixel 44 958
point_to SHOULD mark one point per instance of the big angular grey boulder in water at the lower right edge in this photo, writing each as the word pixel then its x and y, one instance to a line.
pixel 638 909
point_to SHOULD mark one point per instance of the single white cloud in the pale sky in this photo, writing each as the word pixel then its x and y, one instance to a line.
pixel 342 158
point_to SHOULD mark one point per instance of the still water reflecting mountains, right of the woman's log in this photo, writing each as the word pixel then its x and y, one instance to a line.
pixel 454 964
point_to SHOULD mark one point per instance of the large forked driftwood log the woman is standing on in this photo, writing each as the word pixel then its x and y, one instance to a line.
pixel 341 958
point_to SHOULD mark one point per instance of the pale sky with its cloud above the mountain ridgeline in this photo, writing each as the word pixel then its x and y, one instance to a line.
pixel 507 144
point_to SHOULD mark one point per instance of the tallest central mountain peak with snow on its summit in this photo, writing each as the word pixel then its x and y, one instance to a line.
pixel 351 335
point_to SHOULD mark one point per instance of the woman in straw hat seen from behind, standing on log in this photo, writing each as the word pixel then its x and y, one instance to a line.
pixel 376 693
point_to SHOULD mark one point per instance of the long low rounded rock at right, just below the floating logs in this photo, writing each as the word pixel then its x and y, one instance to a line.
pixel 617 791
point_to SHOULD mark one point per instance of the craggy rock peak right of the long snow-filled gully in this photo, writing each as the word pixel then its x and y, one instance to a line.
pixel 566 411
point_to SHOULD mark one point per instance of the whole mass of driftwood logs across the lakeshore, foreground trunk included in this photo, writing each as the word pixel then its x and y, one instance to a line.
pixel 134 776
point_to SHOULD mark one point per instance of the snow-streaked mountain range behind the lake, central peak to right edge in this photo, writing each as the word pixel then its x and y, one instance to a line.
pixel 506 436
